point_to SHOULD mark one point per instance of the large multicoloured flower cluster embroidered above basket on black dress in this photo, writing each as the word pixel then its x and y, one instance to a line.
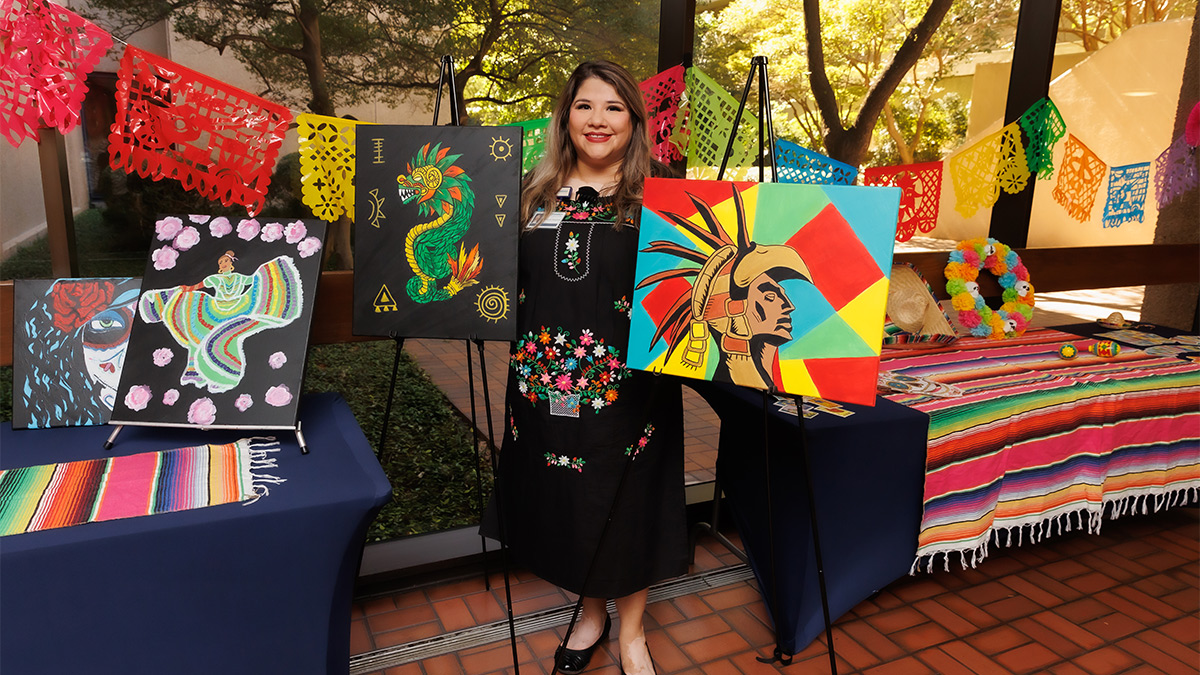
pixel 560 365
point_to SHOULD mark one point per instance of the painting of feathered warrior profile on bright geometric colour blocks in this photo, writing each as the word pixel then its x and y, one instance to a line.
pixel 766 285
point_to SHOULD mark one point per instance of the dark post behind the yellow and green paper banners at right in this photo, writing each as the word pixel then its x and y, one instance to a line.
pixel 1037 32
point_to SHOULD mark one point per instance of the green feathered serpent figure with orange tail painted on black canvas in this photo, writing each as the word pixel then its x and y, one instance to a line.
pixel 441 192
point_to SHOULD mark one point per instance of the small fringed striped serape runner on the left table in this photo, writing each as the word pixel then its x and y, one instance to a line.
pixel 74 493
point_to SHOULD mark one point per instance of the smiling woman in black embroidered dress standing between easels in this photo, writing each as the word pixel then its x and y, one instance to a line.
pixel 586 437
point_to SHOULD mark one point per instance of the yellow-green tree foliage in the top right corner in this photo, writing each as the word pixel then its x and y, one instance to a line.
pixel 1095 23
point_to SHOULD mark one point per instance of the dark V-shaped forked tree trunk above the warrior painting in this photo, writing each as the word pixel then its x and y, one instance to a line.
pixel 850 146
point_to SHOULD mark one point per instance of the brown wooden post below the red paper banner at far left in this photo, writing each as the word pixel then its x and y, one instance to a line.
pixel 52 156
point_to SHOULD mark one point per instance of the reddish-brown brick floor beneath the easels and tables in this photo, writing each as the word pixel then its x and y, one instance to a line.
pixel 1009 618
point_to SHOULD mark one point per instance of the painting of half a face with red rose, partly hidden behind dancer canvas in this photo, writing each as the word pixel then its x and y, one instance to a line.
pixel 69 350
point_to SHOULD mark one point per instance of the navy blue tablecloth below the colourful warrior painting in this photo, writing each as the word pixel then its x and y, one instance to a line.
pixel 868 477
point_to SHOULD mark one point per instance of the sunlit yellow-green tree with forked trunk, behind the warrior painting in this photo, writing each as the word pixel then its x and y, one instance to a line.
pixel 881 63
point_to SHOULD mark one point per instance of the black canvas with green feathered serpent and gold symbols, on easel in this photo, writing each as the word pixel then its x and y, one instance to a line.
pixel 436 231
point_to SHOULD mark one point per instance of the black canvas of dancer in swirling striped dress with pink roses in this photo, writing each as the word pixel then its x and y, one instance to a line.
pixel 221 326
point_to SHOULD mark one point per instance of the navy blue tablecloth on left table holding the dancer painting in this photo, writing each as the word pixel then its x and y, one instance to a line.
pixel 265 588
